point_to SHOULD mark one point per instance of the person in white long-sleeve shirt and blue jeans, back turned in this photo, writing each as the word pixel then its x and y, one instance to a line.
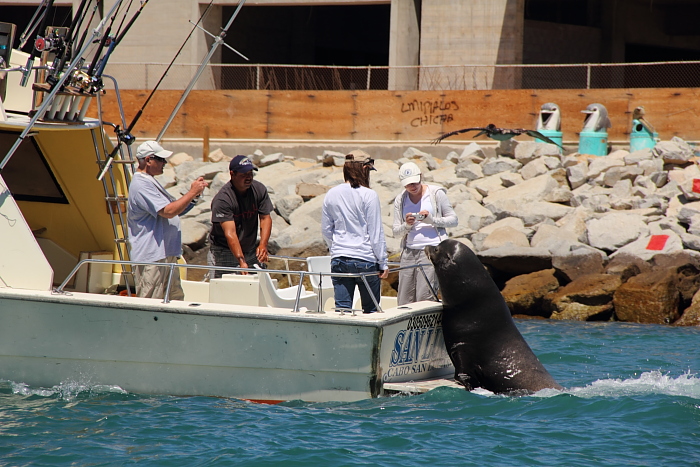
pixel 351 224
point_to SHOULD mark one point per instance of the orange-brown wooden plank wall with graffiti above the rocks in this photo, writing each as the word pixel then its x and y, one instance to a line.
pixel 367 116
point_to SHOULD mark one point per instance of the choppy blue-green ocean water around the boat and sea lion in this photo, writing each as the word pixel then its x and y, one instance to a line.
pixel 631 397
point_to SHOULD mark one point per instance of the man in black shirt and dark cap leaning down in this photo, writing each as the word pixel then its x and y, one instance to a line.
pixel 235 211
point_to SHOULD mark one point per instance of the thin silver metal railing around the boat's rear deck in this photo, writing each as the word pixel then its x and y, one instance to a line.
pixel 237 270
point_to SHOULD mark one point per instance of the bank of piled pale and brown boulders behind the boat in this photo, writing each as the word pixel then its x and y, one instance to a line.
pixel 571 236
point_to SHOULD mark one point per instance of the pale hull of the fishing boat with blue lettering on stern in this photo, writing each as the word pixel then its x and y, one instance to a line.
pixel 180 348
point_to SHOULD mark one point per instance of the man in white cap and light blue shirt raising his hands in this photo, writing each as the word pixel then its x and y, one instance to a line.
pixel 154 223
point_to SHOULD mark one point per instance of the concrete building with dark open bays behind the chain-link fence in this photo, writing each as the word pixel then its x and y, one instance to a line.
pixel 404 34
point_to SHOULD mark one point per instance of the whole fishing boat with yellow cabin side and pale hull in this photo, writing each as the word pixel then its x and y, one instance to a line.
pixel 65 256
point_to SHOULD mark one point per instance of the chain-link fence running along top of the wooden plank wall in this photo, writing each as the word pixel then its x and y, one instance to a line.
pixel 426 78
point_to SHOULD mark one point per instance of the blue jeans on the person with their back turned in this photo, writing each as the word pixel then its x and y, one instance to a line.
pixel 344 287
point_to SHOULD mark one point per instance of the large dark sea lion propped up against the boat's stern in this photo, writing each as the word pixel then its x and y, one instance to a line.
pixel 485 346
